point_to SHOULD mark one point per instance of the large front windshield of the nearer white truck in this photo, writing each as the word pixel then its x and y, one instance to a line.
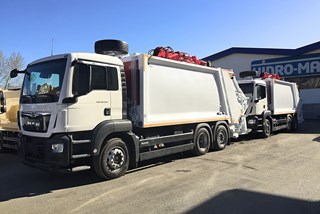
pixel 43 81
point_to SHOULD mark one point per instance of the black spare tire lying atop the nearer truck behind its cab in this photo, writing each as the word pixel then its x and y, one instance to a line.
pixel 111 47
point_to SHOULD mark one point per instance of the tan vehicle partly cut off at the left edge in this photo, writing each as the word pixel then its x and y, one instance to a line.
pixel 9 99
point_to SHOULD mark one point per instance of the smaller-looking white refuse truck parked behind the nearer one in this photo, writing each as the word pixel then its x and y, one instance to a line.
pixel 273 104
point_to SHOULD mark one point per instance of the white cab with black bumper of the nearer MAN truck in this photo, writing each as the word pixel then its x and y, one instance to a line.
pixel 64 99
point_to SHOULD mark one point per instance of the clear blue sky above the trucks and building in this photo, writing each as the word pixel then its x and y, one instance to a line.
pixel 201 27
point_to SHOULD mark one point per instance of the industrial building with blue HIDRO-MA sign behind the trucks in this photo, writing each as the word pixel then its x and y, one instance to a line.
pixel 300 65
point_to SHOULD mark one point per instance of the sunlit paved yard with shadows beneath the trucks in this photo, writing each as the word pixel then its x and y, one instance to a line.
pixel 280 174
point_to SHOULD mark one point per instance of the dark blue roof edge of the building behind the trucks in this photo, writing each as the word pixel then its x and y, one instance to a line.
pixel 270 51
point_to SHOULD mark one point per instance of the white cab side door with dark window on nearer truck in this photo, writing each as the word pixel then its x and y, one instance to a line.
pixel 93 86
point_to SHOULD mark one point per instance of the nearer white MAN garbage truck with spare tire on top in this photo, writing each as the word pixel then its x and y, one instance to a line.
pixel 109 110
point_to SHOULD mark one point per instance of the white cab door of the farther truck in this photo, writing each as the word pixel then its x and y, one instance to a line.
pixel 260 99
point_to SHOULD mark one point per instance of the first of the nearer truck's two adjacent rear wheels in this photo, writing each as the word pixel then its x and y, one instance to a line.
pixel 201 141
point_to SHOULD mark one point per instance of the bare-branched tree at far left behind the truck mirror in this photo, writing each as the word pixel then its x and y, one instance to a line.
pixel 14 61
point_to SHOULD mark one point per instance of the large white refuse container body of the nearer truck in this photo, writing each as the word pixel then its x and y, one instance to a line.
pixel 173 93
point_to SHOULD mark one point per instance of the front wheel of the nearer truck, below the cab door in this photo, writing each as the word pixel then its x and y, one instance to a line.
pixel 113 160
